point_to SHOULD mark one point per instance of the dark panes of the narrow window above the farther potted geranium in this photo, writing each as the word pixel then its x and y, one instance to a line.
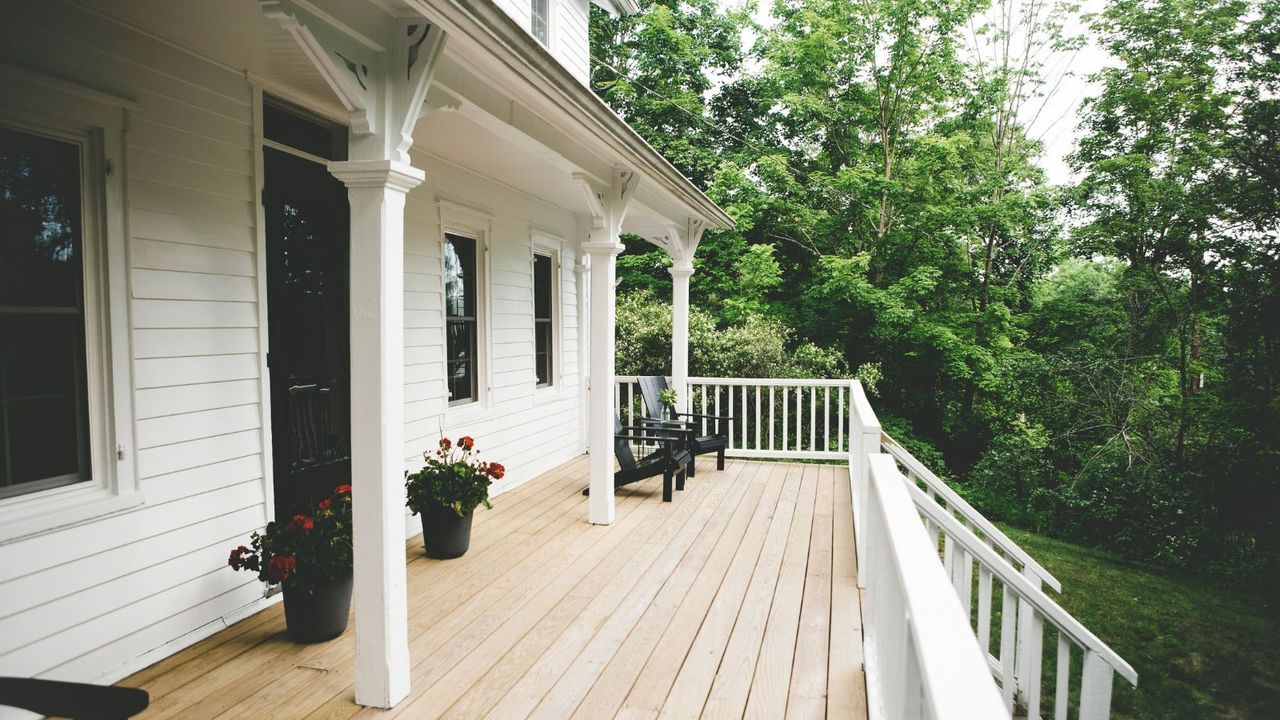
pixel 461 313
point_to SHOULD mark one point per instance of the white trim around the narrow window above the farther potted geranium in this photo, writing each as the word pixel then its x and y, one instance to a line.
pixel 476 225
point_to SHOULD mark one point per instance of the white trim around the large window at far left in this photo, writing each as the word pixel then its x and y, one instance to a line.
pixel 98 122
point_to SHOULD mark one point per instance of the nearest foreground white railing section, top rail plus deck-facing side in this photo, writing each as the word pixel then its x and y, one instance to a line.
pixel 922 659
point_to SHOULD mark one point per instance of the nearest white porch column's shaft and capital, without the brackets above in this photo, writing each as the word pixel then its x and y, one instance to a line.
pixel 377 193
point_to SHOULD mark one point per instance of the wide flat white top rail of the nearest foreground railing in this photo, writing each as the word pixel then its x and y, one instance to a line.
pixel 953 668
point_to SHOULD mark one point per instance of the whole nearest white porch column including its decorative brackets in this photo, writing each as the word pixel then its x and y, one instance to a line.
pixel 381 75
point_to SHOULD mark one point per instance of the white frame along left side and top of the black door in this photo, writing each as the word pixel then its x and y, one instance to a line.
pixel 259 90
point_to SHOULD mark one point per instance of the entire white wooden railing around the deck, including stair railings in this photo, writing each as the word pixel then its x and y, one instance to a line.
pixel 926 650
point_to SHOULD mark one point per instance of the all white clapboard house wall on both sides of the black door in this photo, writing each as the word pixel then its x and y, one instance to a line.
pixel 98 600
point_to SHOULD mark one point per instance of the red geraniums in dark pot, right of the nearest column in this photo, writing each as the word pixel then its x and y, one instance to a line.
pixel 446 493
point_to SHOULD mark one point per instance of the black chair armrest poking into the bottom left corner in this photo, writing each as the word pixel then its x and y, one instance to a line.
pixel 79 701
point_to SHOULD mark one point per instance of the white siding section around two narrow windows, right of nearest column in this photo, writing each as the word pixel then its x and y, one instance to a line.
pixel 525 429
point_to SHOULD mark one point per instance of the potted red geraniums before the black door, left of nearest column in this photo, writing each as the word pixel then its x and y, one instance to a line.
pixel 310 557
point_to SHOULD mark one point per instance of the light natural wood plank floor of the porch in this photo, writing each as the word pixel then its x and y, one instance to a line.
pixel 737 600
